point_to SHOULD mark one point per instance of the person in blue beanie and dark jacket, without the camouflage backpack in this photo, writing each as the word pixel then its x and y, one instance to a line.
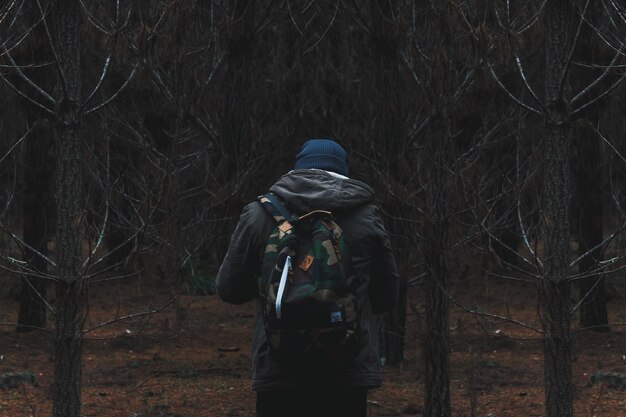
pixel 319 182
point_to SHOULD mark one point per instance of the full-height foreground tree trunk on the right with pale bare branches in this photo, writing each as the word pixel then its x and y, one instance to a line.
pixel 554 287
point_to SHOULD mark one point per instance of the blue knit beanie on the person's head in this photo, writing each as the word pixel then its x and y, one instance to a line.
pixel 323 154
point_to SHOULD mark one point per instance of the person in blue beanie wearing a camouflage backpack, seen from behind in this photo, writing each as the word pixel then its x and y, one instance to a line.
pixel 336 385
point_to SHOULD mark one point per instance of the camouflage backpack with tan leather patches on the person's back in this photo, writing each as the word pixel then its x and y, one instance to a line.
pixel 310 301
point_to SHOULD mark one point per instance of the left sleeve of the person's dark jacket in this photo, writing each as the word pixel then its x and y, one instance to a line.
pixel 236 279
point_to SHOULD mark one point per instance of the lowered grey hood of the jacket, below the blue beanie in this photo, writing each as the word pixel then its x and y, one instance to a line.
pixel 305 190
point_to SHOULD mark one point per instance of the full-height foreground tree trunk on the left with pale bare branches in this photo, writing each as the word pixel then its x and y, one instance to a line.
pixel 71 288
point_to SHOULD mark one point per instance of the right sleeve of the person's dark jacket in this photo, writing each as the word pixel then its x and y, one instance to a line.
pixel 385 281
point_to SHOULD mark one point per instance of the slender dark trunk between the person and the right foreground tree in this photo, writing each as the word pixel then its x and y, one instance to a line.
pixel 440 195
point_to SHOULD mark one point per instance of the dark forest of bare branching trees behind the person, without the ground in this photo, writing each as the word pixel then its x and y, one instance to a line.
pixel 132 134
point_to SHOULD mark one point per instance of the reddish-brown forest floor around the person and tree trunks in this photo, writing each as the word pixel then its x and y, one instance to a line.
pixel 192 358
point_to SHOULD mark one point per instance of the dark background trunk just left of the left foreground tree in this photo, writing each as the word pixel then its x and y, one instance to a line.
pixel 36 210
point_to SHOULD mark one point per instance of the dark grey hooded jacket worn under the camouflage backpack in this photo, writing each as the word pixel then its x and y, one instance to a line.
pixel 351 201
